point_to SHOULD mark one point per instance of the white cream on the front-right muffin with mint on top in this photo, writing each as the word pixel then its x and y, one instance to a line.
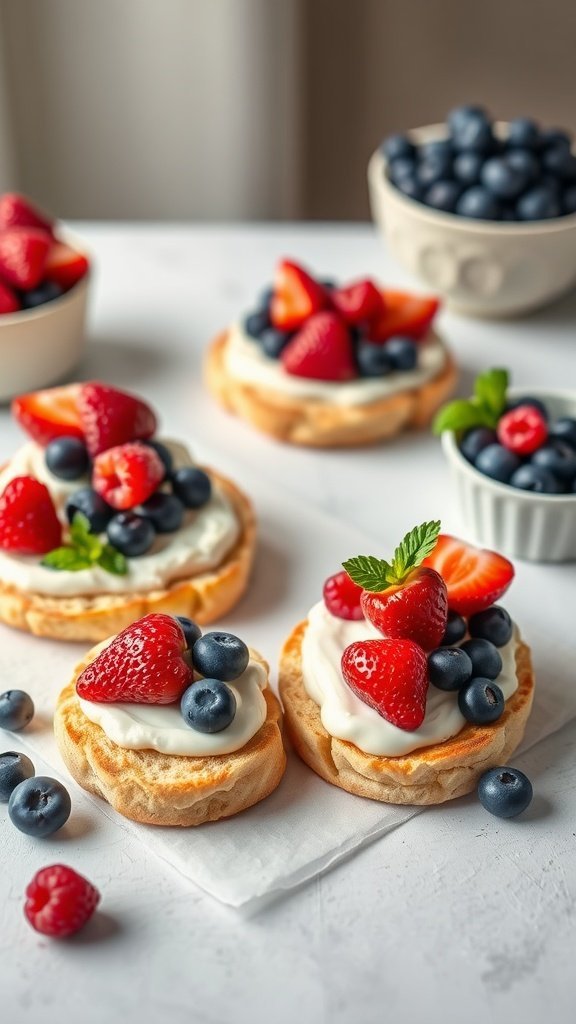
pixel 345 716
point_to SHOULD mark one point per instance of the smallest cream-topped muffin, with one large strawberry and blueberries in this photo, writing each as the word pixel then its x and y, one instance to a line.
pixel 171 727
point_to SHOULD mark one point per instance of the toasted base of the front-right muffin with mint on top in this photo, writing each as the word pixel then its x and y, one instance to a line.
pixel 431 776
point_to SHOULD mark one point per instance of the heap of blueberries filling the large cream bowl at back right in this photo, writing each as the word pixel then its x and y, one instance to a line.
pixel 485 170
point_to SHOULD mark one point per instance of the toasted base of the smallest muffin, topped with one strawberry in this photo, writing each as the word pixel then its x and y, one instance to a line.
pixel 166 790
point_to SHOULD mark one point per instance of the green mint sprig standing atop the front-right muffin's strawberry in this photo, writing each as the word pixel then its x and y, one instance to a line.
pixel 377 575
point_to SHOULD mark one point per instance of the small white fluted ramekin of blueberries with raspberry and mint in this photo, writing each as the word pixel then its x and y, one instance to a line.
pixel 513 456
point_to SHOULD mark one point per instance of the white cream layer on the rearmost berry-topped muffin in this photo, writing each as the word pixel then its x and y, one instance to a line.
pixel 248 362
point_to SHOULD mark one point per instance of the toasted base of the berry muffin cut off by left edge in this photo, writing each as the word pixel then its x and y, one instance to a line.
pixel 205 598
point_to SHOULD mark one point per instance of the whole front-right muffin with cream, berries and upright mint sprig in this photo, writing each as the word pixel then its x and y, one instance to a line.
pixel 407 682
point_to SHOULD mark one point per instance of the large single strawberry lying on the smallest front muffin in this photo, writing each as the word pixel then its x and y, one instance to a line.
pixel 145 664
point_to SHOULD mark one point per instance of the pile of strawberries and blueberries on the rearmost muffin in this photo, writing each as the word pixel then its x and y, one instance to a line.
pixel 321 331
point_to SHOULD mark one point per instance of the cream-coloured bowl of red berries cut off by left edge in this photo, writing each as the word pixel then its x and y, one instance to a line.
pixel 45 281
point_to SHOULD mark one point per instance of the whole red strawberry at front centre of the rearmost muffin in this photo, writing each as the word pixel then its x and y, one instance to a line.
pixel 322 350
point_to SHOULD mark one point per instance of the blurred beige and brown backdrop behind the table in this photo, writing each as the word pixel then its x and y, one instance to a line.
pixel 255 109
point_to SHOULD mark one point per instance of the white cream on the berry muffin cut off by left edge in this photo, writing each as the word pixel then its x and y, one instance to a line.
pixel 201 544
